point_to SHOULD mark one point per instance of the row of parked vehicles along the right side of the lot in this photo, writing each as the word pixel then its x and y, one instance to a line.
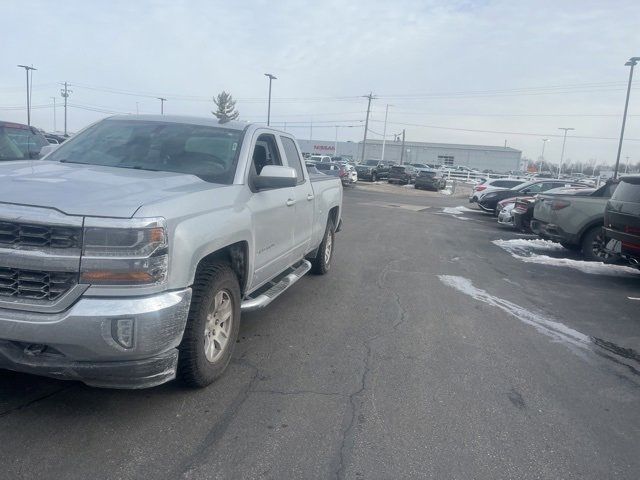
pixel 602 223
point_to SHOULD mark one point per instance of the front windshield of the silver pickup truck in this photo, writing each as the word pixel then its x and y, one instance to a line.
pixel 207 152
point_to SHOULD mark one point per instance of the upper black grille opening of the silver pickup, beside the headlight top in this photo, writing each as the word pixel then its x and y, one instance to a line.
pixel 19 235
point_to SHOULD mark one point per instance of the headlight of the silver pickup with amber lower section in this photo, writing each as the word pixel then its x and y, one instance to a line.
pixel 124 252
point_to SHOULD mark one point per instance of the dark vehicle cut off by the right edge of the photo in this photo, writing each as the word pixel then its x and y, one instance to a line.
pixel 622 221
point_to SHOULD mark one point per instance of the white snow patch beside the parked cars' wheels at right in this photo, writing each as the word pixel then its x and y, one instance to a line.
pixel 524 250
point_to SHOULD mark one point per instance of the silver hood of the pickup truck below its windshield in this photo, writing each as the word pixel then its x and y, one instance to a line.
pixel 90 190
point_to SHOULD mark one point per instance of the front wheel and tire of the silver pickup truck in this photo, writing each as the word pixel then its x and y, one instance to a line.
pixel 199 366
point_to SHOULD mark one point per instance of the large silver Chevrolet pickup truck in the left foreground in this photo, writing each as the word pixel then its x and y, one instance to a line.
pixel 127 254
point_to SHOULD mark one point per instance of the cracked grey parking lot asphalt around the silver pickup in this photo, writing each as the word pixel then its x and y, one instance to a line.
pixel 427 352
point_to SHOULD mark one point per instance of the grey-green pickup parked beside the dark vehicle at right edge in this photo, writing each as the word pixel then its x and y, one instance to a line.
pixel 574 221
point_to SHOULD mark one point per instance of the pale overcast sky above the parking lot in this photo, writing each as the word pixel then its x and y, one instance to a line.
pixel 506 70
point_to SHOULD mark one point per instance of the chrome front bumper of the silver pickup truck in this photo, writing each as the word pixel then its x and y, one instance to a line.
pixel 82 342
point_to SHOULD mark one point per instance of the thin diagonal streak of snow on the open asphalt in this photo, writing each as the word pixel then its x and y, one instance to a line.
pixel 551 328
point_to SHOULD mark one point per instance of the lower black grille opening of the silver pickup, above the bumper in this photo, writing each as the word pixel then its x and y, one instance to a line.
pixel 34 285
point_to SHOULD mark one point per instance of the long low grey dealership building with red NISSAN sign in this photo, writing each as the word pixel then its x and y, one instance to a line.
pixel 479 157
